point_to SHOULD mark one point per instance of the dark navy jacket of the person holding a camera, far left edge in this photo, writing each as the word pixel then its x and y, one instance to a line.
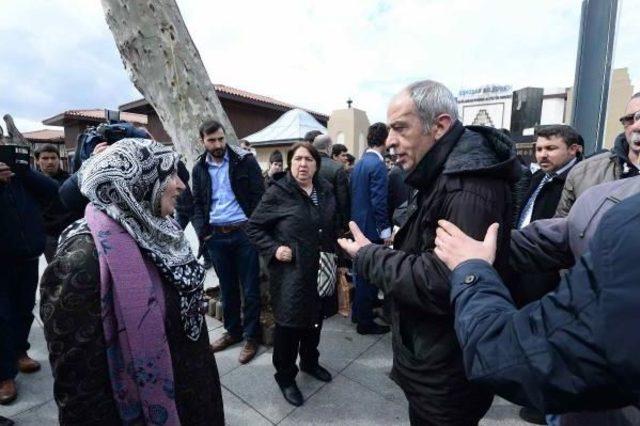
pixel 21 203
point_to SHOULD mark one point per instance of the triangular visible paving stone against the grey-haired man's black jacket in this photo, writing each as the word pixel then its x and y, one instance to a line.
pixel 372 370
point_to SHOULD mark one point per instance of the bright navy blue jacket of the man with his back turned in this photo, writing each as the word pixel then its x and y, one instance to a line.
pixel 369 189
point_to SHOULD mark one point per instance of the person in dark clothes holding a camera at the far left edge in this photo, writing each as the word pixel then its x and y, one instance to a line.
pixel 23 195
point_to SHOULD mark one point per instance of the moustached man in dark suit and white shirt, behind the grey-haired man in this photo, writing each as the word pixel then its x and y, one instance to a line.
pixel 557 150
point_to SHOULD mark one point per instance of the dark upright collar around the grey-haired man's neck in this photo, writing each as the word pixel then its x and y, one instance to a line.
pixel 433 162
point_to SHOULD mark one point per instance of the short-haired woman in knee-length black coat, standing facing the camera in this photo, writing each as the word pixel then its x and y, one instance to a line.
pixel 293 223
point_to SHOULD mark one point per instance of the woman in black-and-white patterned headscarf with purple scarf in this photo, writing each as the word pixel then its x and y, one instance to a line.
pixel 122 302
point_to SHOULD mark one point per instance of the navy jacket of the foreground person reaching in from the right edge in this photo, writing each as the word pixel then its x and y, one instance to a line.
pixel 575 349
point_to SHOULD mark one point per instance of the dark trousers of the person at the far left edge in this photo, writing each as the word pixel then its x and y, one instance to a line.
pixel 18 283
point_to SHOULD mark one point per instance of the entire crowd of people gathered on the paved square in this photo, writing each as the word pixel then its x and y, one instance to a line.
pixel 494 276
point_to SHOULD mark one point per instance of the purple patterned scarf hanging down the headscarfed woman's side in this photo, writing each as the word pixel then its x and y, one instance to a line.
pixel 133 314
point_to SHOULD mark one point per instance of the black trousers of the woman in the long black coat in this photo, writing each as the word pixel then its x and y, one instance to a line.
pixel 288 342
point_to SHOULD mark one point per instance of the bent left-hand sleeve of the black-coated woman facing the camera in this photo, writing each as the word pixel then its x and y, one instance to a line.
pixel 261 225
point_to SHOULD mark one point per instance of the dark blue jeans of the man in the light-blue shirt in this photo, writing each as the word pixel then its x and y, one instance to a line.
pixel 236 263
